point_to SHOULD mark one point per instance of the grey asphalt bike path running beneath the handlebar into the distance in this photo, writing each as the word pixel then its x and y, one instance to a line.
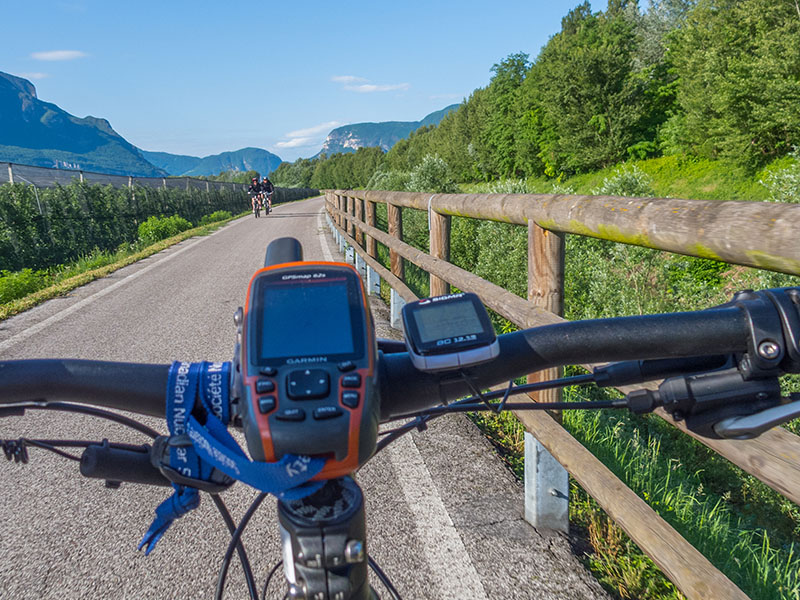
pixel 443 514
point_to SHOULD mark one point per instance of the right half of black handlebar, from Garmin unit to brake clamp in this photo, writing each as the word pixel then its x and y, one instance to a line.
pixel 404 389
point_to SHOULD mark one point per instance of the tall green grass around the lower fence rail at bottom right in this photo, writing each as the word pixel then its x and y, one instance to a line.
pixel 745 529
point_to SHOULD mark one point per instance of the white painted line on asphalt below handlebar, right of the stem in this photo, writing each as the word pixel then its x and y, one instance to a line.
pixel 455 576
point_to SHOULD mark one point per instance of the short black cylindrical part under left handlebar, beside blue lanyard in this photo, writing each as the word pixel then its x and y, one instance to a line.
pixel 117 464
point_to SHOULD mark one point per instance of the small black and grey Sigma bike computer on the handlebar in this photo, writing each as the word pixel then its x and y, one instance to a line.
pixel 448 332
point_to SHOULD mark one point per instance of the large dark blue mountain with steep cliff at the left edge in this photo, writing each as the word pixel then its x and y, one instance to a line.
pixel 38 133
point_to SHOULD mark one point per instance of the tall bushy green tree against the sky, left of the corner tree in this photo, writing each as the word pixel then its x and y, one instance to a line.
pixel 583 94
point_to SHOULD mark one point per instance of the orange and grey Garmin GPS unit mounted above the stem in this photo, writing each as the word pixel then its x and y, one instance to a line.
pixel 308 361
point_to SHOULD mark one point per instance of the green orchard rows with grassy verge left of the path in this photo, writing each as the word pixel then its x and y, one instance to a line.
pixel 52 239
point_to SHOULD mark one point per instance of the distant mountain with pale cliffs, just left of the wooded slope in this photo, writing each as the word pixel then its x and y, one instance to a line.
pixel 349 138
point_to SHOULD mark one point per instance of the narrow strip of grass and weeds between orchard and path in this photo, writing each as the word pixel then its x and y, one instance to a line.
pixel 94 266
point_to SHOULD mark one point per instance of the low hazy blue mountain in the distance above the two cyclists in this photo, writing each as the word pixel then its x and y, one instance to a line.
pixel 246 159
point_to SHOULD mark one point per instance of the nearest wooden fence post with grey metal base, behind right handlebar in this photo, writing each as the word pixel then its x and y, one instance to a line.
pixel 546 481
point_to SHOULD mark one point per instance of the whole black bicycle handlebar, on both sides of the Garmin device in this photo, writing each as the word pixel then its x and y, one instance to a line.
pixel 140 388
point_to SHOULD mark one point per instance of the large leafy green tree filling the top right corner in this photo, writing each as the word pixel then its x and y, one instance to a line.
pixel 738 63
